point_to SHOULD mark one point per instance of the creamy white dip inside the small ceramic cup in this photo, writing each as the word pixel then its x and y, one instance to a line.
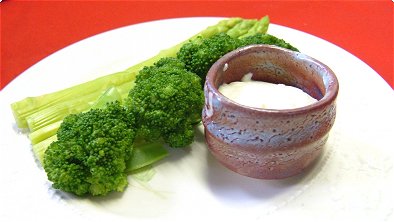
pixel 265 95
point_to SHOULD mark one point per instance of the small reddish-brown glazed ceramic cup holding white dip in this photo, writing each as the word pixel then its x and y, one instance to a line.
pixel 269 143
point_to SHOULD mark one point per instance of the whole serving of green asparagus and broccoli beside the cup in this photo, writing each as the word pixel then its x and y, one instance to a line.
pixel 91 136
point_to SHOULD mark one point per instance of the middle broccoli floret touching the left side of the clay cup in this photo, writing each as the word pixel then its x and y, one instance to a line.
pixel 167 101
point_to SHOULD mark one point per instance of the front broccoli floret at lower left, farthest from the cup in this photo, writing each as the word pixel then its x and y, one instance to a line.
pixel 90 154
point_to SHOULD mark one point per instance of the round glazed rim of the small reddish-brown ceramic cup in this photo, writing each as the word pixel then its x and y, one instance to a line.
pixel 331 84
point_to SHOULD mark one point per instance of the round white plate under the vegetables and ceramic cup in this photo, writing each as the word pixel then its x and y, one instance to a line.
pixel 353 180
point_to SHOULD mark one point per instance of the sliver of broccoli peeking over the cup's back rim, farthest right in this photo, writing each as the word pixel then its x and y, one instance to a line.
pixel 266 39
